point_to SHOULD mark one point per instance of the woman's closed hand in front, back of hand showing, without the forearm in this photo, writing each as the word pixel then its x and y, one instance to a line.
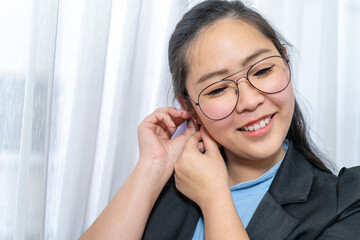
pixel 201 176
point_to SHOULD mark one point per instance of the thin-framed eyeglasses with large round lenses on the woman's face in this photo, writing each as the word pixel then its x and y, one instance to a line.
pixel 269 75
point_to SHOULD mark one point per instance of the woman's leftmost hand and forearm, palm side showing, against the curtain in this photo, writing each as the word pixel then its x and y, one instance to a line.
pixel 126 215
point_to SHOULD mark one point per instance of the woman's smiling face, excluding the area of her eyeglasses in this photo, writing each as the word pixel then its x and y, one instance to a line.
pixel 225 48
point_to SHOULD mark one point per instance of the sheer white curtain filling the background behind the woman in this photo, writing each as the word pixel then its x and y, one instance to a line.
pixel 77 77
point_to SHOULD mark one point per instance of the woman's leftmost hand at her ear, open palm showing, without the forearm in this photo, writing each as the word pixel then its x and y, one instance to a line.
pixel 155 143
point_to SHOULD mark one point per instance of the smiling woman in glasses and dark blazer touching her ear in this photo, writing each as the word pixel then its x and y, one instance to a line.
pixel 244 168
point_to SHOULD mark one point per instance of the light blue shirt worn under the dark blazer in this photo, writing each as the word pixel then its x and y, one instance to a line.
pixel 246 197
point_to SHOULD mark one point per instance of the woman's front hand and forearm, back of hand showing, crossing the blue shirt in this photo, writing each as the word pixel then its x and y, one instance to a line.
pixel 203 178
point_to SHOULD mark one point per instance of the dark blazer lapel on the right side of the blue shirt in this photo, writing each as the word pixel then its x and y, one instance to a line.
pixel 291 184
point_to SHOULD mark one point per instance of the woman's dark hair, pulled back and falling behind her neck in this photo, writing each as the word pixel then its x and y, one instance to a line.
pixel 208 13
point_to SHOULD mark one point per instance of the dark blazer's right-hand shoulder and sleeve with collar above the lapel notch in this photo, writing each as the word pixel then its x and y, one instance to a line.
pixel 325 204
